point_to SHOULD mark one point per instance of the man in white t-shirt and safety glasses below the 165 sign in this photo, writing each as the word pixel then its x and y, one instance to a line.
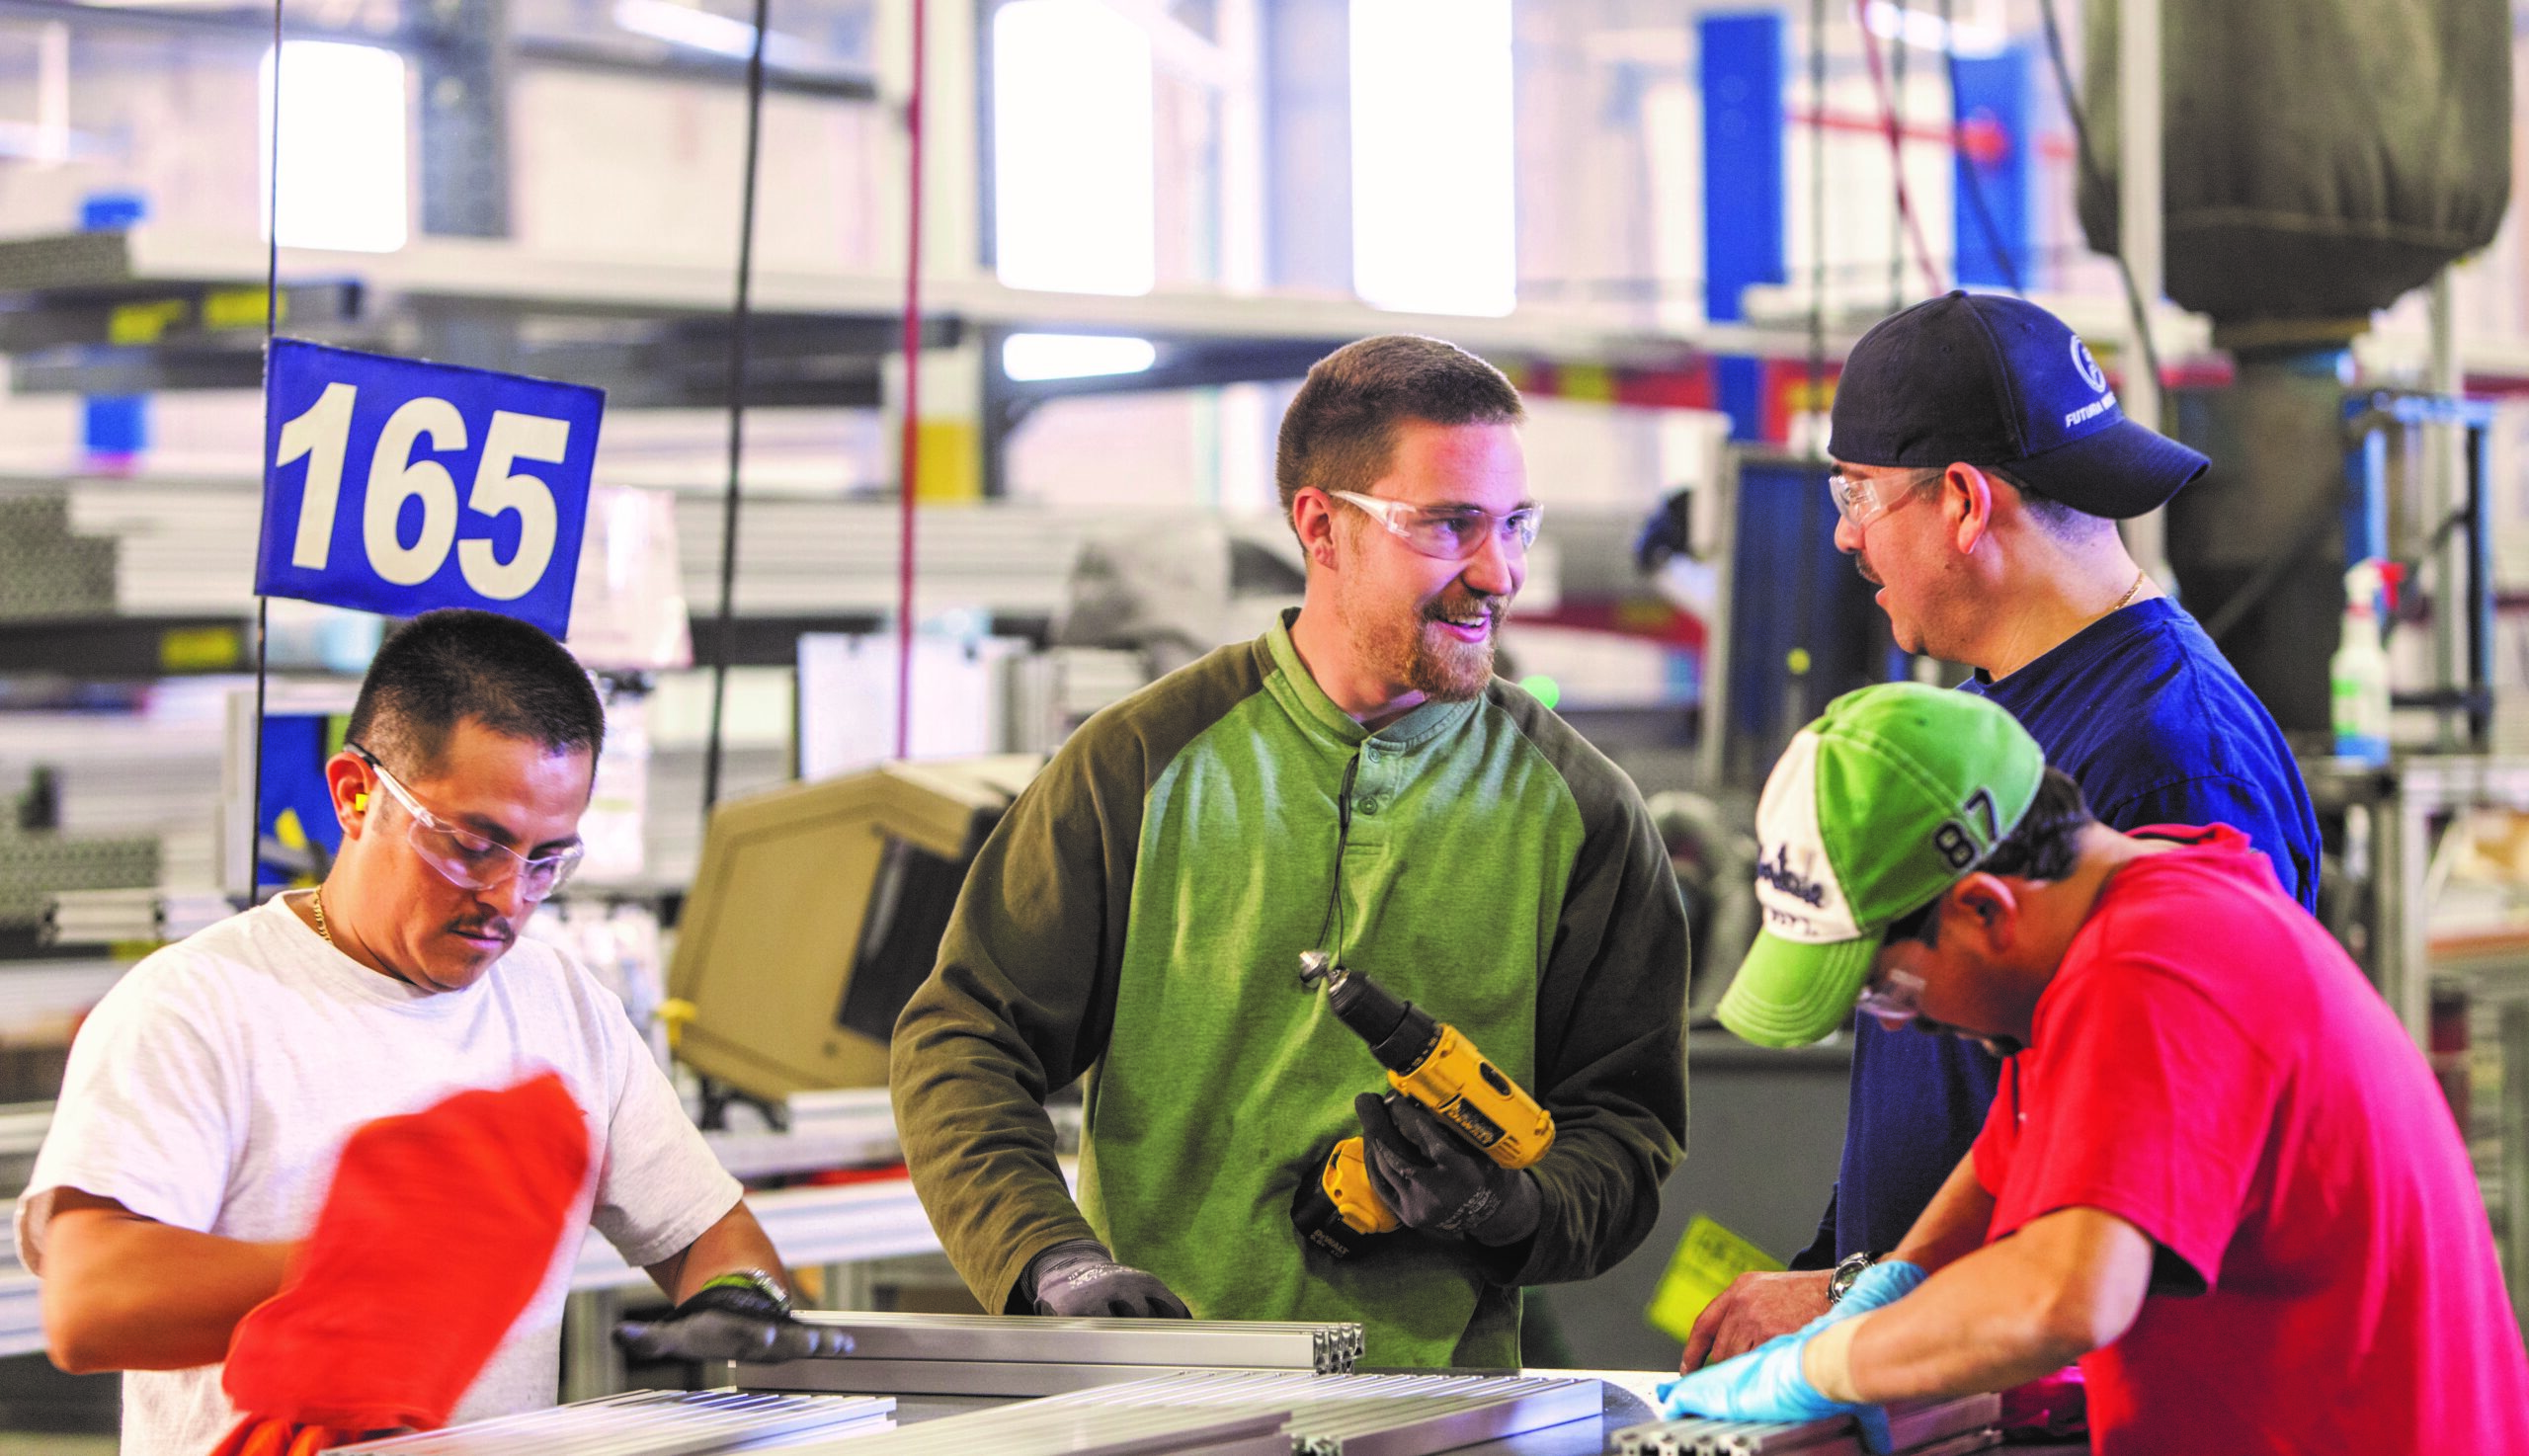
pixel 211 1091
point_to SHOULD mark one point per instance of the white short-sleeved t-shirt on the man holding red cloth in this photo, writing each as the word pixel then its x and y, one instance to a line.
pixel 216 1083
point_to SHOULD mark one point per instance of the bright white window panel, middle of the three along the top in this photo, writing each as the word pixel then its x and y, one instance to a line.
pixel 1074 150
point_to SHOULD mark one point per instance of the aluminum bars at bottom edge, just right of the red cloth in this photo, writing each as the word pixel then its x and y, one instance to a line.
pixel 649 1424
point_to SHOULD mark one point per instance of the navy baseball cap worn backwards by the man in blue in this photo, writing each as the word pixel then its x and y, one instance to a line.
pixel 2004 383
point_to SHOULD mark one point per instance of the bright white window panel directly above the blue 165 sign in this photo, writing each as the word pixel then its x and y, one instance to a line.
pixel 343 148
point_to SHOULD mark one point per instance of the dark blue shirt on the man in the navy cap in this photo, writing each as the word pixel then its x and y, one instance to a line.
pixel 2156 729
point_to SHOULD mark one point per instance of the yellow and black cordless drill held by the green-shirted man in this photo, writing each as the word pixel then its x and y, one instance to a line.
pixel 1433 1065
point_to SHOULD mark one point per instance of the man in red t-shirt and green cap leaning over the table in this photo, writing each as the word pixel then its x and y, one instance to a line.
pixel 2219 1174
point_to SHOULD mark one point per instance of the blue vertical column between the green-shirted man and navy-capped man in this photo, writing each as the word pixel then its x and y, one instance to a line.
pixel 1744 188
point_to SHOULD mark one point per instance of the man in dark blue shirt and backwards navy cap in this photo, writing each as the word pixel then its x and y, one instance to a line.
pixel 1981 476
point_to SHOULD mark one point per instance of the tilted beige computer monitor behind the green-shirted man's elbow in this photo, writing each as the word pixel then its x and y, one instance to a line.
pixel 818 911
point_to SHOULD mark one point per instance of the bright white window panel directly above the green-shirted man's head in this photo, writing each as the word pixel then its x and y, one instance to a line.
pixel 1435 229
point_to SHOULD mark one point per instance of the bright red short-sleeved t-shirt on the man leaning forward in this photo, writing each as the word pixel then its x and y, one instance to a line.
pixel 2212 1068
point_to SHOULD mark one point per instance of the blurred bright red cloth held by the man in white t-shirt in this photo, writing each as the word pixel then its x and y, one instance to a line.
pixel 431 1242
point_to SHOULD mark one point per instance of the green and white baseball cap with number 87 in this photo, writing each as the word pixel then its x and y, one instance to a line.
pixel 1878 808
